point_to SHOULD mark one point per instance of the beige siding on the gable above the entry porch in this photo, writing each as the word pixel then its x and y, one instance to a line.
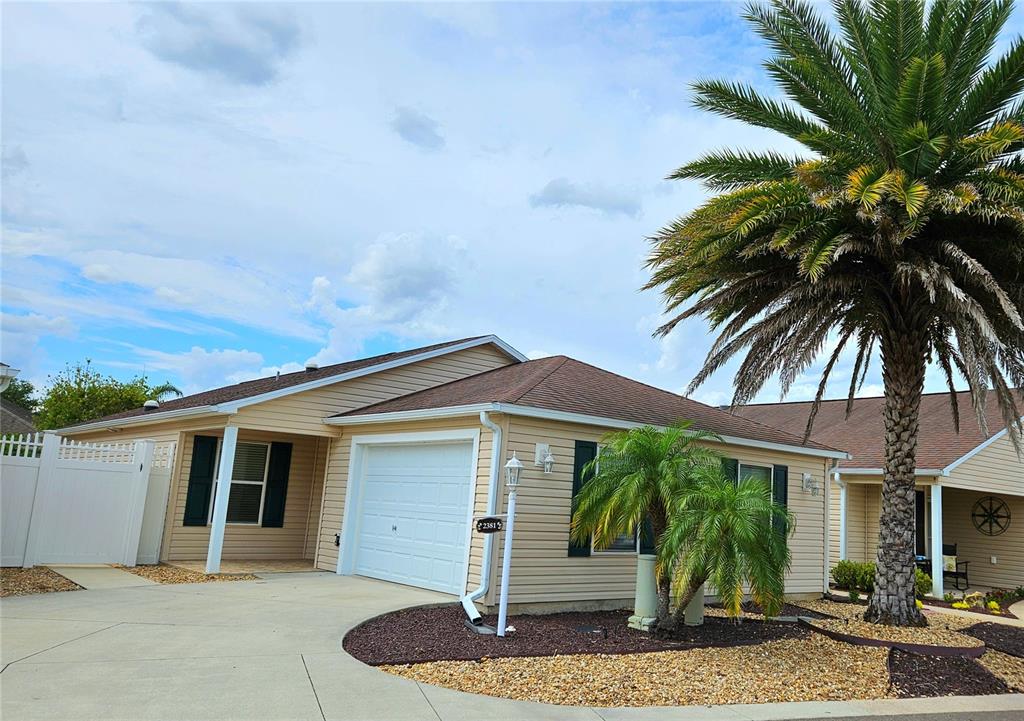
pixel 304 413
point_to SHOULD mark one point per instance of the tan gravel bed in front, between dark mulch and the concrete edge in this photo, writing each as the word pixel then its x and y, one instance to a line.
pixel 790 670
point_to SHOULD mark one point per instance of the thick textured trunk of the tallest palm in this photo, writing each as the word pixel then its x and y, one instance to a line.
pixel 904 362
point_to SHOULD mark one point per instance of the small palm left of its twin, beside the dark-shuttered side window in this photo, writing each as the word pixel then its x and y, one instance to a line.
pixel 639 475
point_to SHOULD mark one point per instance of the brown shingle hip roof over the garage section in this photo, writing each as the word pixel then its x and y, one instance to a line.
pixel 561 384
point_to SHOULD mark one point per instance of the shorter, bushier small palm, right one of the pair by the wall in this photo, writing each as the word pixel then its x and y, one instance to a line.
pixel 732 535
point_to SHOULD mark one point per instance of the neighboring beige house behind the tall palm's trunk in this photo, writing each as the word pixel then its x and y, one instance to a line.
pixel 971 488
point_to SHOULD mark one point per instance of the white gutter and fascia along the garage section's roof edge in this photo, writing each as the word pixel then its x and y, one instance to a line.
pixel 533 412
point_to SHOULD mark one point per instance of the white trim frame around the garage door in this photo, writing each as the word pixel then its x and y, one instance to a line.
pixel 352 515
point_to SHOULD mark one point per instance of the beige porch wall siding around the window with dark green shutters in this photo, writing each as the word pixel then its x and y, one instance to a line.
pixel 248 542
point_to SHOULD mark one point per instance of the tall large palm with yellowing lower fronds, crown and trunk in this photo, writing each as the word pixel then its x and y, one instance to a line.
pixel 899 233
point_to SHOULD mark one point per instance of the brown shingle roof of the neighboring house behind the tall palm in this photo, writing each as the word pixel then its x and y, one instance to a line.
pixel 864 434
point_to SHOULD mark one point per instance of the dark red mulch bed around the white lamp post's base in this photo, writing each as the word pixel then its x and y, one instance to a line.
pixel 418 635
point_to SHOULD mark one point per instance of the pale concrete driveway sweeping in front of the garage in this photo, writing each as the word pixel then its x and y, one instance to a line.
pixel 272 650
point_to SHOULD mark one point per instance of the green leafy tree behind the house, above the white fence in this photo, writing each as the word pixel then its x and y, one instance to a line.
pixel 80 394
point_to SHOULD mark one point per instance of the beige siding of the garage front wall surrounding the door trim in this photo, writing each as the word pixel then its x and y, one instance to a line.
pixel 337 484
